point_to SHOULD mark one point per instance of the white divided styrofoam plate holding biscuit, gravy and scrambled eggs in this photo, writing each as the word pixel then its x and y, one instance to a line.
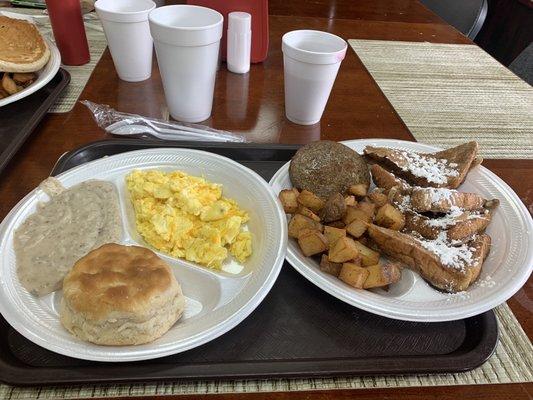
pixel 216 301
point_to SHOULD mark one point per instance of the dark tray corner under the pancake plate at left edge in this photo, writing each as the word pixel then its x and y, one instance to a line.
pixel 19 119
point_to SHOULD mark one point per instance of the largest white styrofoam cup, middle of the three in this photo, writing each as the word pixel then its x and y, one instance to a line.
pixel 187 41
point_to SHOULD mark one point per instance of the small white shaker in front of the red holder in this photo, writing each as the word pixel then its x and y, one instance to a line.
pixel 239 42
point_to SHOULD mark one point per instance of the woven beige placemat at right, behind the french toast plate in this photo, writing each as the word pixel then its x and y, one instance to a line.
pixel 448 93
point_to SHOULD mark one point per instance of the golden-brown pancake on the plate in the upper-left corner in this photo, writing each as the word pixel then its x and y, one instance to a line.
pixel 22 48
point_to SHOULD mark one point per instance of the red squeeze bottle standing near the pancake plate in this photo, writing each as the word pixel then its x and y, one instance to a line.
pixel 69 31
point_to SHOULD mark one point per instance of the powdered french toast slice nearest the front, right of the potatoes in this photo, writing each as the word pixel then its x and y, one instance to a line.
pixel 452 269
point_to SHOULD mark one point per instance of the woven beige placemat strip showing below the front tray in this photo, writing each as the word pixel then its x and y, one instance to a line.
pixel 511 363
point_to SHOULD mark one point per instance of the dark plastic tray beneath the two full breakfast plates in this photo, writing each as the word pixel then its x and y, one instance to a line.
pixel 298 330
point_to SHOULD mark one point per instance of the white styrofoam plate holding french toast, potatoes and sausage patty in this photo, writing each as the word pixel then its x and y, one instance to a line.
pixel 506 269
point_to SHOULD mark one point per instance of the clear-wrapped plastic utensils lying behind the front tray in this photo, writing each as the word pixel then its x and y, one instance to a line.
pixel 124 124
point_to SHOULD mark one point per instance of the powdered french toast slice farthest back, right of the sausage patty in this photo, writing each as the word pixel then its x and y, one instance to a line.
pixel 444 169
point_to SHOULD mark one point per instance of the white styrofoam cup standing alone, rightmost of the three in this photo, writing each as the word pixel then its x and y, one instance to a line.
pixel 311 60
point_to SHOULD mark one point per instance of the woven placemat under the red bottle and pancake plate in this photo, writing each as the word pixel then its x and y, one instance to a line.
pixel 79 75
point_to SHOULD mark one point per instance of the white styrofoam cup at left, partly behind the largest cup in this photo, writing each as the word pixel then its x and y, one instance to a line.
pixel 128 36
